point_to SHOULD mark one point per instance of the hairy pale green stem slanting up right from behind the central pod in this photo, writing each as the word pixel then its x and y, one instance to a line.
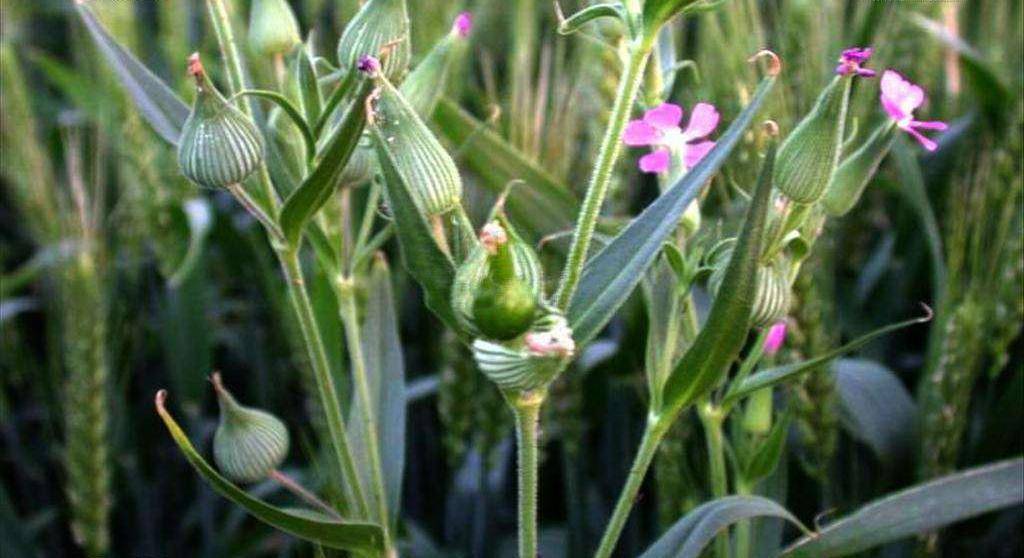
pixel 629 85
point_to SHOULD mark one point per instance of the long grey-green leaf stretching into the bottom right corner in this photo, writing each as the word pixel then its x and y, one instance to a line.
pixel 919 509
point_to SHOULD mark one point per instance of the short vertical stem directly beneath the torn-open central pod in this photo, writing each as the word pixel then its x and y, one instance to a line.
pixel 527 408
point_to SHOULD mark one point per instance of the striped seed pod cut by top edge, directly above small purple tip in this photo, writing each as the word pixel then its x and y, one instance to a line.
pixel 378 24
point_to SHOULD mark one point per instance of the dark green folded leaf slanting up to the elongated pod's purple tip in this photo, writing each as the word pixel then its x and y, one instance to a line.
pixel 318 188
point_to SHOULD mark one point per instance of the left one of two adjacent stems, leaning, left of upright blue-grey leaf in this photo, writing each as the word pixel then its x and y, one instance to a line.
pixel 322 372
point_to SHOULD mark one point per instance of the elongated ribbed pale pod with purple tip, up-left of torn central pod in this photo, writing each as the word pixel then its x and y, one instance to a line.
pixel 415 152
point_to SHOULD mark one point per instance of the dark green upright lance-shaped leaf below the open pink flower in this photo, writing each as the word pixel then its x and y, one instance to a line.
pixel 726 331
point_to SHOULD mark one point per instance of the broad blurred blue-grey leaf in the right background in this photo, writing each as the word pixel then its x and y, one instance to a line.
pixel 876 408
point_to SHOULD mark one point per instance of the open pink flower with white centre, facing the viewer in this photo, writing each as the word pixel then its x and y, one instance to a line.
pixel 660 130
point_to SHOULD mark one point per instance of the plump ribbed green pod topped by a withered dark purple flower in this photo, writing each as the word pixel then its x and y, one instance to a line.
pixel 808 157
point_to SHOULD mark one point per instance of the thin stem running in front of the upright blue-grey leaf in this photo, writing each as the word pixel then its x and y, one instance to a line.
pixel 354 338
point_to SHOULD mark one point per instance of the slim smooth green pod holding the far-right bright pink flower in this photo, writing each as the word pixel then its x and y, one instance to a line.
pixel 857 171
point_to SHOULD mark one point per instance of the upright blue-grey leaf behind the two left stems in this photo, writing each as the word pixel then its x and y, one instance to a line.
pixel 386 369
